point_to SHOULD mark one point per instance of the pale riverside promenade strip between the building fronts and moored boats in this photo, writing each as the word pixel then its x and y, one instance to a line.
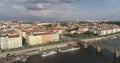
pixel 39 48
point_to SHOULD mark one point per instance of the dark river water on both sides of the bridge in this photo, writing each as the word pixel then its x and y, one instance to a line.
pixel 79 56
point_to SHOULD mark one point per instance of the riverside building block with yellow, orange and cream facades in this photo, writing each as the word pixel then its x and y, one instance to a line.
pixel 41 38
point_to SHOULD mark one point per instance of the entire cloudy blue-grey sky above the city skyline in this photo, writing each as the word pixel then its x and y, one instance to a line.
pixel 59 10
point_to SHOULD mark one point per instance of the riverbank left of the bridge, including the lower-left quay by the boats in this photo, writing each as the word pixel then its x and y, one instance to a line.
pixel 14 54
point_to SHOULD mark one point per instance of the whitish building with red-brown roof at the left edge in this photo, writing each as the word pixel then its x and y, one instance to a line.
pixel 10 40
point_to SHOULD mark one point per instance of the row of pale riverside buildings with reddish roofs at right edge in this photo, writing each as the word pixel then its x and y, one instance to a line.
pixel 105 29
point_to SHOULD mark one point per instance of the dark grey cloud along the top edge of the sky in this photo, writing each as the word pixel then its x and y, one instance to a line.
pixel 41 4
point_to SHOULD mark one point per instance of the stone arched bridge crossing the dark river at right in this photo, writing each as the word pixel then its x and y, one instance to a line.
pixel 100 47
